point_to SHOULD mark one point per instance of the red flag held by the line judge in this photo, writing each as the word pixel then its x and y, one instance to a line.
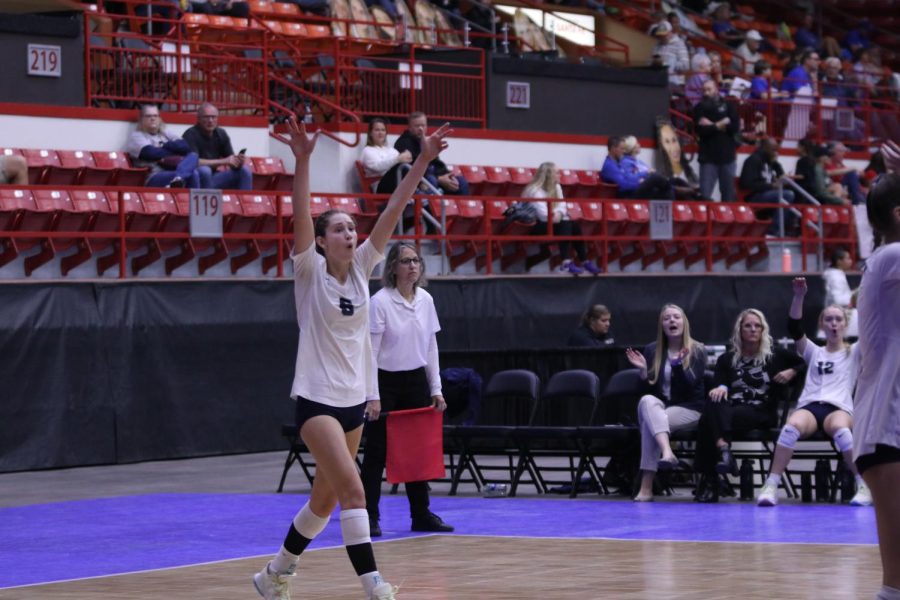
pixel 415 445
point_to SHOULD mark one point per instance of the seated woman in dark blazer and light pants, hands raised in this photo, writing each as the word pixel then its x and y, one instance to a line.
pixel 673 367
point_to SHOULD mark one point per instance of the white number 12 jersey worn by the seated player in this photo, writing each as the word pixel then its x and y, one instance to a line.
pixel 830 376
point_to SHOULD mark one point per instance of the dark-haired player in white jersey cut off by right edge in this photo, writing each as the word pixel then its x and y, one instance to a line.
pixel 877 399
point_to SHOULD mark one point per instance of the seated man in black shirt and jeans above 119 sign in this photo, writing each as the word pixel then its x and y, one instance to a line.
pixel 220 167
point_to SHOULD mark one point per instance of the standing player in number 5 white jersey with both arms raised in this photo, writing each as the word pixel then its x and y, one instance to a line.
pixel 332 373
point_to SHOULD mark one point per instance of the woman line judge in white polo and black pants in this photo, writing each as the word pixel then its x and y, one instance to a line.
pixel 404 325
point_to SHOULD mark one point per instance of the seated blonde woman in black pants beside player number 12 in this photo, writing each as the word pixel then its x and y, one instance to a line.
pixel 747 381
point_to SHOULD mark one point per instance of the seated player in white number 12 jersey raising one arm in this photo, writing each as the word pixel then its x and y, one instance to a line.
pixel 826 402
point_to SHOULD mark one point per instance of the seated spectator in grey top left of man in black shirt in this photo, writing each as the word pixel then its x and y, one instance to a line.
pixel 171 162
